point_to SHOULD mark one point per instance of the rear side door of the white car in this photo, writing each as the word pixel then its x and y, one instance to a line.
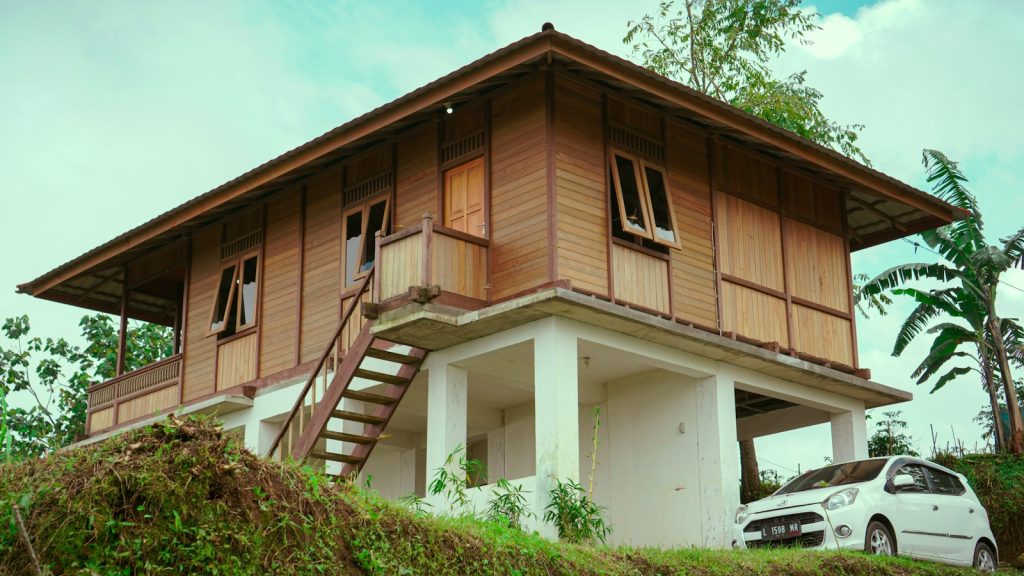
pixel 957 517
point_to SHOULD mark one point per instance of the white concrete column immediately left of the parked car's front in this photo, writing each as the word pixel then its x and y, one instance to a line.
pixel 718 460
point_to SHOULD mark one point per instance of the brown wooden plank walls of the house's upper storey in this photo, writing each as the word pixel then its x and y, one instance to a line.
pixel 797 296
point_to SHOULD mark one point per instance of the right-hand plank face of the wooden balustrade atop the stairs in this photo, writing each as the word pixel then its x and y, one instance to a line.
pixel 459 267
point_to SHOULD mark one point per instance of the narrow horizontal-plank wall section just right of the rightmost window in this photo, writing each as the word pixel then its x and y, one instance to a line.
pixel 694 266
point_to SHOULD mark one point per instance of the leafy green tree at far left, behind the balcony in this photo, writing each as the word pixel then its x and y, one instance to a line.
pixel 56 376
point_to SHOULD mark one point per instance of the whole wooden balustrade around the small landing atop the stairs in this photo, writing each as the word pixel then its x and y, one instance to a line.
pixel 431 255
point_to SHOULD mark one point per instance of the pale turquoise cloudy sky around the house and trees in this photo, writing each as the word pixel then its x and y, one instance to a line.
pixel 113 112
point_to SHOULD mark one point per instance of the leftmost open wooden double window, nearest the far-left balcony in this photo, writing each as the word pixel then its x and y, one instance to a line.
pixel 238 291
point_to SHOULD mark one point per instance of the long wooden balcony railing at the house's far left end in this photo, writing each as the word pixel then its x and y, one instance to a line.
pixel 146 392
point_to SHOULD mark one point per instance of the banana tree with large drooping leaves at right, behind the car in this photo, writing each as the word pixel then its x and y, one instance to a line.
pixel 970 276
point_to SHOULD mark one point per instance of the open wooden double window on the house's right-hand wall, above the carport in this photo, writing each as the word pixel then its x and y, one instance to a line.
pixel 645 205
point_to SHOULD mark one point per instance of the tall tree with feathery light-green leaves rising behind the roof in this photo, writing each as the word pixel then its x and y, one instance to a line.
pixel 722 49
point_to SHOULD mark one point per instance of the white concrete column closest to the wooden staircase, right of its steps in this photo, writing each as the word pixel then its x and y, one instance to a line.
pixel 446 421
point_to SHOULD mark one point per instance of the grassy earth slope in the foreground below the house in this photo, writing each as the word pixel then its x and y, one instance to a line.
pixel 181 499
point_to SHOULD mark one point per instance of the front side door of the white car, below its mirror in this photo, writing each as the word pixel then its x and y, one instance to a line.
pixel 913 516
